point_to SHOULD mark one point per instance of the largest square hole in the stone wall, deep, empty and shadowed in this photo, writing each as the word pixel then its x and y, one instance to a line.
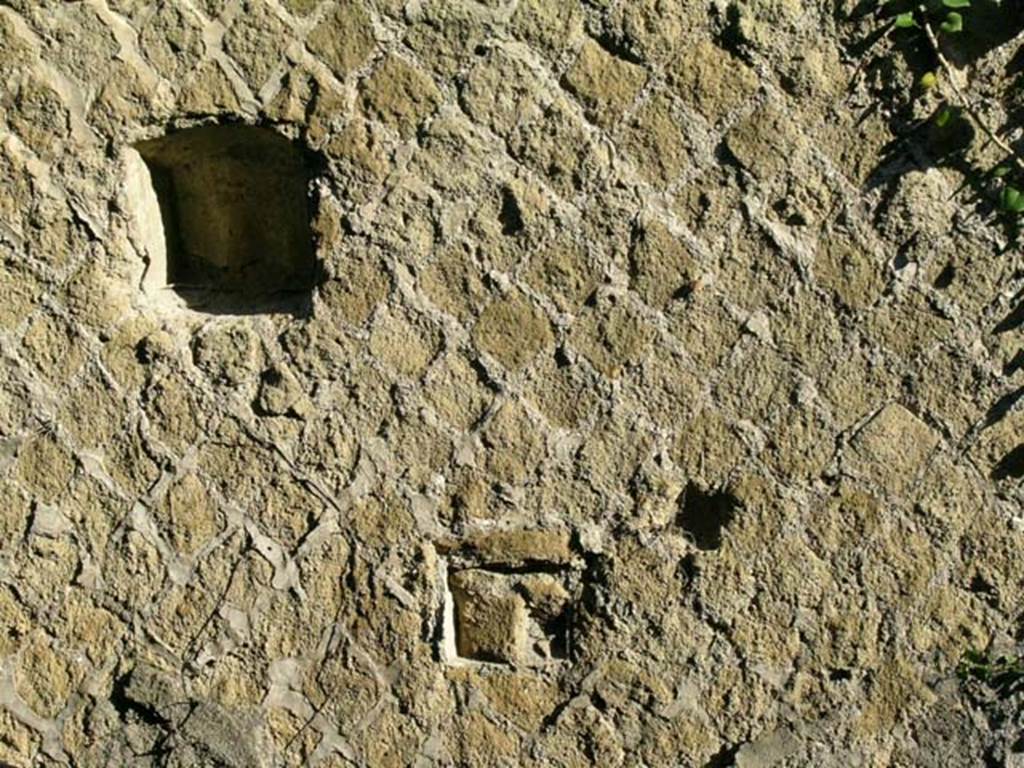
pixel 224 216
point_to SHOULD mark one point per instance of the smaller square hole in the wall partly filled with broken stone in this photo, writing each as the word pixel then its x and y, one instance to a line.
pixel 518 613
